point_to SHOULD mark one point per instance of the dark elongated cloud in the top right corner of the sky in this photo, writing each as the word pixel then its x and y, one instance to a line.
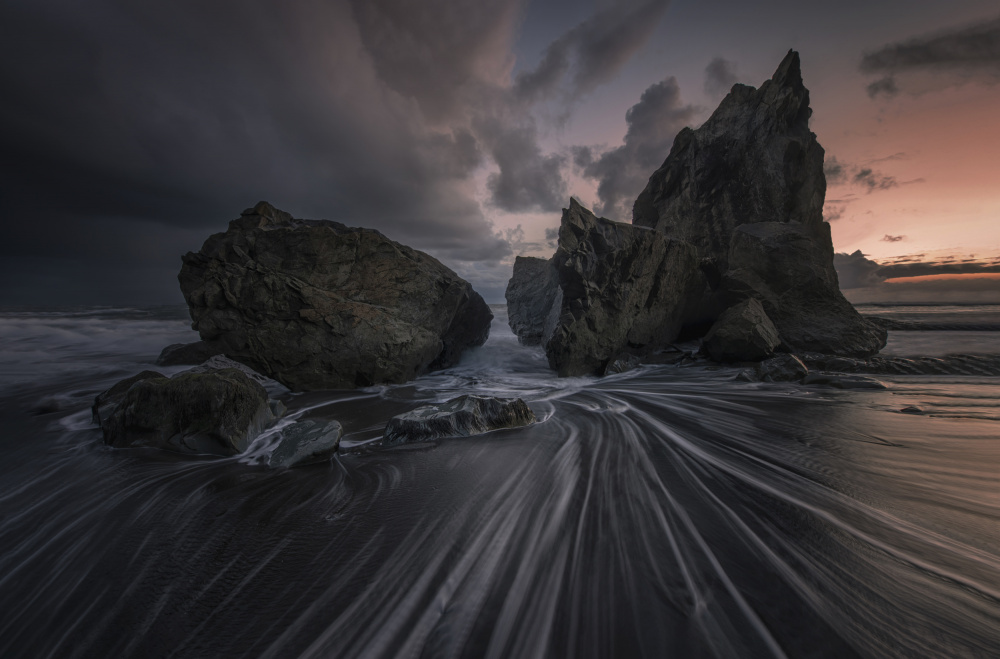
pixel 958 55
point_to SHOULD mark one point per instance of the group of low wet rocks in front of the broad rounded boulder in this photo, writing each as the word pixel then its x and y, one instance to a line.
pixel 221 406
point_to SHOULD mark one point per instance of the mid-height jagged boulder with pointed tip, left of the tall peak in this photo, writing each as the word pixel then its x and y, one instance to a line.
pixel 624 290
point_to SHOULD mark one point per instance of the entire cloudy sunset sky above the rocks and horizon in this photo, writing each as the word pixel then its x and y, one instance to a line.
pixel 129 132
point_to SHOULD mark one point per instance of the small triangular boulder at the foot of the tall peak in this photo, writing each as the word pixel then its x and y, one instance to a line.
pixel 742 333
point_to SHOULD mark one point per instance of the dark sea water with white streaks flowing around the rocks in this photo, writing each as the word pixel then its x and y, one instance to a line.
pixel 667 511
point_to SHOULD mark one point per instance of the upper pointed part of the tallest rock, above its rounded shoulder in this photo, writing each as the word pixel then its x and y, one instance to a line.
pixel 754 160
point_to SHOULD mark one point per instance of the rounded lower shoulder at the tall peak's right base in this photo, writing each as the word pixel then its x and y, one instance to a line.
pixel 791 273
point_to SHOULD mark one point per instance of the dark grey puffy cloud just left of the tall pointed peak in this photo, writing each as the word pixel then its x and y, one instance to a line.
pixel 622 172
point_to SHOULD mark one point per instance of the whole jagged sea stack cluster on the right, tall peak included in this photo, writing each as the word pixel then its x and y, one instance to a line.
pixel 727 241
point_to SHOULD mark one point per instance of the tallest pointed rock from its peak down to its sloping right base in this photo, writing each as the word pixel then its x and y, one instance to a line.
pixel 746 189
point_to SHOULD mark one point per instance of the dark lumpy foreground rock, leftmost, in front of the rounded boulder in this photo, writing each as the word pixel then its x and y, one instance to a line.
pixel 218 412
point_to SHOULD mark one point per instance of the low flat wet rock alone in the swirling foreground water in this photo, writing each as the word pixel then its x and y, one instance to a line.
pixel 459 417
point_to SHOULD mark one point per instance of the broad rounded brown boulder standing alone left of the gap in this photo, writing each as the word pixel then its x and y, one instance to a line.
pixel 314 304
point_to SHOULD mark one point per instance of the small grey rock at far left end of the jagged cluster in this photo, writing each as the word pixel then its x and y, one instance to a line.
pixel 531 294
